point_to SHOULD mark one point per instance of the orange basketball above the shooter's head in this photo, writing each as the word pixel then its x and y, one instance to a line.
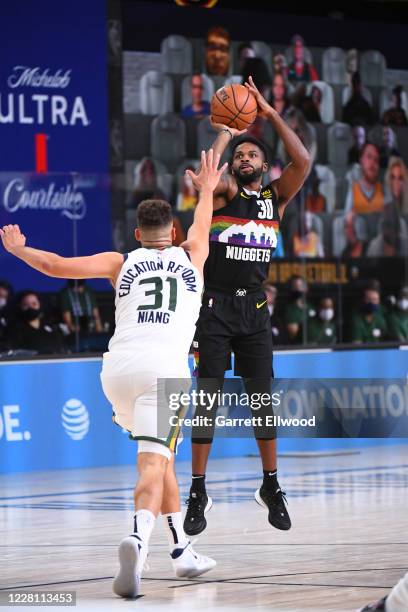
pixel 234 105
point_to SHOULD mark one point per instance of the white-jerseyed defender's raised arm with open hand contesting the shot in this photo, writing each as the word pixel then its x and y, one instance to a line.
pixel 206 180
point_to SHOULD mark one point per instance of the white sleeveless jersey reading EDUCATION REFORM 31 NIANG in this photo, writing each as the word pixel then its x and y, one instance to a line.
pixel 158 297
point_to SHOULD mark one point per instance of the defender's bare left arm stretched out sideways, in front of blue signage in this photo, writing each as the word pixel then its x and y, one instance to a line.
pixel 102 265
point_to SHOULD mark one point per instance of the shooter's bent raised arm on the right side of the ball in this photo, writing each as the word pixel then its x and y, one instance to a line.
pixel 295 173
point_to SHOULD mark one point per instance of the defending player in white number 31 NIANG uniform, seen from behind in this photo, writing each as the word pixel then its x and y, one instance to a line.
pixel 158 295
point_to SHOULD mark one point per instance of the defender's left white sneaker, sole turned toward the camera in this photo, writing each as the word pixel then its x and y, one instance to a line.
pixel 132 557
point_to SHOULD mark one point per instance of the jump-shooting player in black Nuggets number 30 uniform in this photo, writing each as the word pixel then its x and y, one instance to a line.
pixel 234 315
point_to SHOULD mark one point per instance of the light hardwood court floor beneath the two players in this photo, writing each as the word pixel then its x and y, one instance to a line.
pixel 348 544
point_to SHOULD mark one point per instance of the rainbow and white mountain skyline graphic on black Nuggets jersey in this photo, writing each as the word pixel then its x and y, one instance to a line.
pixel 244 232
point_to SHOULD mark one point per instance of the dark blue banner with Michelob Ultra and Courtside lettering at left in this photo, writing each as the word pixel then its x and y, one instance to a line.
pixel 54 131
